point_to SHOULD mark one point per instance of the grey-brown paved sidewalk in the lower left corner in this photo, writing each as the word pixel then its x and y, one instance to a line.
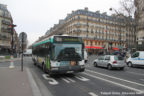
pixel 13 82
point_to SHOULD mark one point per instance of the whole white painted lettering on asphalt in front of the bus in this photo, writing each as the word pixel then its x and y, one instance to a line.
pixel 66 79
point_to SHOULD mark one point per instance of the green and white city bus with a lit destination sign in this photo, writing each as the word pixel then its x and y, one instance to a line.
pixel 59 54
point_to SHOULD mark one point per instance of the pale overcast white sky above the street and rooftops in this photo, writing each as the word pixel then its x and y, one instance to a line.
pixel 35 17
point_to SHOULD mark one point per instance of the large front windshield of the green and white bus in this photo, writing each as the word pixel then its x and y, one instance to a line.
pixel 66 52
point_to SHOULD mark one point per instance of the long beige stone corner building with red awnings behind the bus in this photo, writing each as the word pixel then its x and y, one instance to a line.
pixel 99 31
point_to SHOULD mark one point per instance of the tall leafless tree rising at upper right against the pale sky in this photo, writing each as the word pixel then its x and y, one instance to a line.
pixel 126 12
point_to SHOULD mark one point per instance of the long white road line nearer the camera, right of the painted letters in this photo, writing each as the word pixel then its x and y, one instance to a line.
pixel 118 84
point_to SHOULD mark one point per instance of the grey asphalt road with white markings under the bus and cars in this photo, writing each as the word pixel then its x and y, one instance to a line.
pixel 95 81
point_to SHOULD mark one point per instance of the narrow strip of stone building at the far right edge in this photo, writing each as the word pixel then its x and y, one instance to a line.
pixel 139 16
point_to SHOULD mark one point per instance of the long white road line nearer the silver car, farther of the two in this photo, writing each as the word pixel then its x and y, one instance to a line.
pixel 115 78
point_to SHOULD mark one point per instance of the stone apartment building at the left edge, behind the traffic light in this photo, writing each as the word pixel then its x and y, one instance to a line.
pixel 5 32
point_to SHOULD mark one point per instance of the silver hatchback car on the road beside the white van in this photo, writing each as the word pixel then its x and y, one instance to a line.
pixel 110 62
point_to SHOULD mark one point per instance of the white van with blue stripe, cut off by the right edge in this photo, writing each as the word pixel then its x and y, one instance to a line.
pixel 136 58
